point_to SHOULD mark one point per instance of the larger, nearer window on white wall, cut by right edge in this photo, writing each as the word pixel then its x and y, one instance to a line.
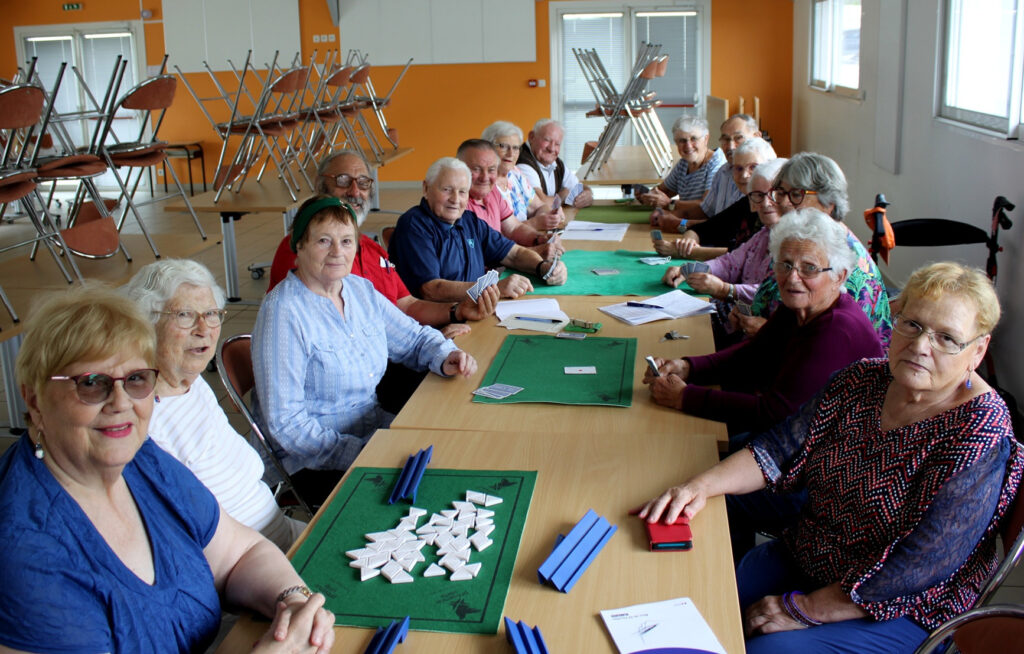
pixel 983 70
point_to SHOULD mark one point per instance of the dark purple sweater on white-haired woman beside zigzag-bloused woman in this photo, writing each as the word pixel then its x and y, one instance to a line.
pixel 770 376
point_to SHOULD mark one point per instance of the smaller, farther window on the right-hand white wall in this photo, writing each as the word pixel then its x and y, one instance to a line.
pixel 836 47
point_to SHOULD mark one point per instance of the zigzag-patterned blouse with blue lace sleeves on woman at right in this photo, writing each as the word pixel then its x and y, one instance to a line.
pixel 905 520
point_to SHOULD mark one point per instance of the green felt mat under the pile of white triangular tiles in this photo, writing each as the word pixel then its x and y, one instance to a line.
pixel 434 604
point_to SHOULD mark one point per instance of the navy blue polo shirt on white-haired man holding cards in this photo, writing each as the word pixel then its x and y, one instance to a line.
pixel 424 248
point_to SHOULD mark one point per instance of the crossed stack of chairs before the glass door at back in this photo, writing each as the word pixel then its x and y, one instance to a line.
pixel 635 106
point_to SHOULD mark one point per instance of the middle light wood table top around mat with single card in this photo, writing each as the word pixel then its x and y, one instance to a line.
pixel 447 404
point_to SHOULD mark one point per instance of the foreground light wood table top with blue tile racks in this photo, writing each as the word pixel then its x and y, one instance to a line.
pixel 608 472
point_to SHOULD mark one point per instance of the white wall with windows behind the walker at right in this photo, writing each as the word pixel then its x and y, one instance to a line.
pixel 944 170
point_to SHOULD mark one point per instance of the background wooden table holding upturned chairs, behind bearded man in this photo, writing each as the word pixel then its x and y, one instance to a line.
pixel 270 197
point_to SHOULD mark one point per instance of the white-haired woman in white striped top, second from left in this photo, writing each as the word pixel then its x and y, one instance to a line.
pixel 187 306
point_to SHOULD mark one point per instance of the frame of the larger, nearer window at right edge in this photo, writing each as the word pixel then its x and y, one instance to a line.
pixel 1008 127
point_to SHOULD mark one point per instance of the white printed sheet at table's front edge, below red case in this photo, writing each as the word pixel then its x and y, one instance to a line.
pixel 661 627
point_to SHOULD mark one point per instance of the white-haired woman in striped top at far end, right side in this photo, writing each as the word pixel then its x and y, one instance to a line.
pixel 691 179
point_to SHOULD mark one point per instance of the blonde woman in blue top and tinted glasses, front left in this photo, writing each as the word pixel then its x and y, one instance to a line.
pixel 110 544
